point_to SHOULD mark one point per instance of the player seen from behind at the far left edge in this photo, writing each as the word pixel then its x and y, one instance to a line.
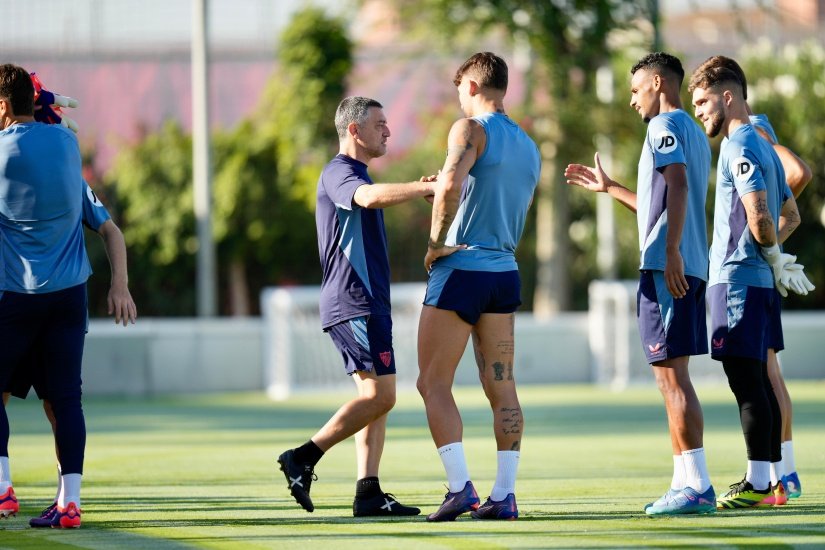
pixel 43 272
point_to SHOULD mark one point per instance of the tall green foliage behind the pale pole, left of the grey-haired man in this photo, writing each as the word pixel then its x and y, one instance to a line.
pixel 265 172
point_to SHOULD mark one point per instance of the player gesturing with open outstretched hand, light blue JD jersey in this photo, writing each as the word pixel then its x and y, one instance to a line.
pixel 670 208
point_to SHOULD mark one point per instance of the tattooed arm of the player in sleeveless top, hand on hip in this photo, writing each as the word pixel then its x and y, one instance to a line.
pixel 464 144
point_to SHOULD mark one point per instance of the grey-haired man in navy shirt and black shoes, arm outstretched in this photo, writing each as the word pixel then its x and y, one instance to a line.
pixel 355 304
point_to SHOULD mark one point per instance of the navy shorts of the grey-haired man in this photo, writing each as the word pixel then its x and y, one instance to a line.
pixel 365 344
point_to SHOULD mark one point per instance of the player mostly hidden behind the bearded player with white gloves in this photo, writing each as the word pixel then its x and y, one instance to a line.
pixel 797 174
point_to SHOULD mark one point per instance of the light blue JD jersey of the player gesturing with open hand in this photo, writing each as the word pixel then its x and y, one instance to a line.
pixel 673 138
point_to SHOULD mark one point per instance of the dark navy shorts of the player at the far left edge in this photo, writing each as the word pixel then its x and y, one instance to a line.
pixel 41 341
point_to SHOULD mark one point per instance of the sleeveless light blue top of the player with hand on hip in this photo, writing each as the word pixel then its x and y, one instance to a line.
pixel 494 199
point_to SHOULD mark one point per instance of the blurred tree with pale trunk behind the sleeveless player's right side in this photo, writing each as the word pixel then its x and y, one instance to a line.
pixel 567 42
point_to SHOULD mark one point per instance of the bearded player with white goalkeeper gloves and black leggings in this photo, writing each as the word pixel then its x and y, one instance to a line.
pixel 753 205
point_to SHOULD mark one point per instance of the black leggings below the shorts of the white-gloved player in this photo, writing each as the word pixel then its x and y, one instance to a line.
pixel 758 408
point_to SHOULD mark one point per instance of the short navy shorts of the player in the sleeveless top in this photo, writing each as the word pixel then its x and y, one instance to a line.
pixel 471 293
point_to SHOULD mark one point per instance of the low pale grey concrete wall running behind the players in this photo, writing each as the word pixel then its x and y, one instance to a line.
pixel 158 356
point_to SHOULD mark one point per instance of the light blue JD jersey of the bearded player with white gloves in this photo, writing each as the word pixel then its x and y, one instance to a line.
pixel 747 163
